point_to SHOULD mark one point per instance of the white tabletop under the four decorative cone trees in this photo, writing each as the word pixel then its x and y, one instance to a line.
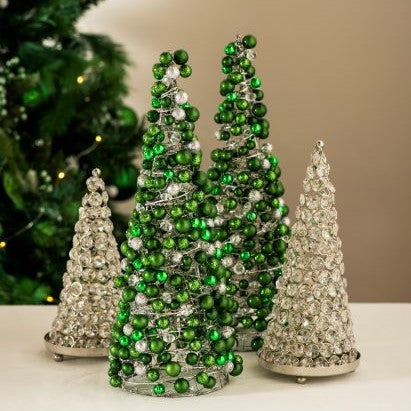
pixel 30 380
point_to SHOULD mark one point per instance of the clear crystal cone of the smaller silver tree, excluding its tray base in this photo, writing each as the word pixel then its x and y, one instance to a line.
pixel 88 300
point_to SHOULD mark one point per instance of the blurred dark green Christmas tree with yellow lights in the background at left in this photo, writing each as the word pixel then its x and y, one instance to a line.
pixel 61 115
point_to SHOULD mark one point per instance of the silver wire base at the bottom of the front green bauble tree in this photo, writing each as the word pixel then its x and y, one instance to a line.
pixel 140 385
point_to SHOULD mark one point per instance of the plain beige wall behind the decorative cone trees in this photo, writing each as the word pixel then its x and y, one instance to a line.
pixel 336 70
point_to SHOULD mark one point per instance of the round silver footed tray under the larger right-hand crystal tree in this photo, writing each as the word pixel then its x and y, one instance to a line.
pixel 303 372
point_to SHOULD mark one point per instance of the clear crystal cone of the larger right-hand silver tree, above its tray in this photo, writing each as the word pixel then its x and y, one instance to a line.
pixel 311 324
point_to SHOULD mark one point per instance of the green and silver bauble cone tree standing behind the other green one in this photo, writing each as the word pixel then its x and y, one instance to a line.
pixel 252 213
